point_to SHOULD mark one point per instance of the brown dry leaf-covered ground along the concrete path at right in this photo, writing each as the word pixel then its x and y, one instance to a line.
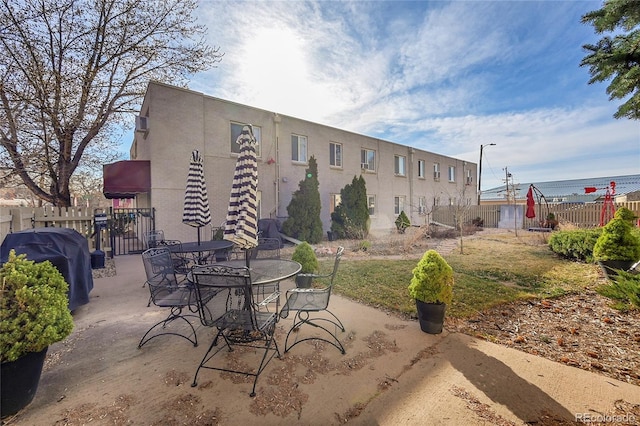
pixel 578 330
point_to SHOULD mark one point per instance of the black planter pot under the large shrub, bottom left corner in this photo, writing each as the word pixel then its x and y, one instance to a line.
pixel 20 379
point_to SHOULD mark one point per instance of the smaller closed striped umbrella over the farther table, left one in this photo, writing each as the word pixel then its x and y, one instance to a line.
pixel 196 211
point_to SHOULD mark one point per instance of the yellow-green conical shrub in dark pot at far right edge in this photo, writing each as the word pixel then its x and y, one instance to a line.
pixel 617 247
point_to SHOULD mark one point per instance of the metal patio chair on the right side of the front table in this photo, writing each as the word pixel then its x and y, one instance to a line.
pixel 309 304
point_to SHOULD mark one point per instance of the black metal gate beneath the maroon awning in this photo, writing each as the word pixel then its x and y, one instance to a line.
pixel 127 228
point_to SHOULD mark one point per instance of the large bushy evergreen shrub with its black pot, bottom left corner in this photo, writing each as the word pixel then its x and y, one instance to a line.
pixel 34 313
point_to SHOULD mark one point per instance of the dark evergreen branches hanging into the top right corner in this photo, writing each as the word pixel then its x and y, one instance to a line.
pixel 617 58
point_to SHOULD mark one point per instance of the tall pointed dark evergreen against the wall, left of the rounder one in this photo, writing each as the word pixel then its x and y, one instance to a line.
pixel 304 221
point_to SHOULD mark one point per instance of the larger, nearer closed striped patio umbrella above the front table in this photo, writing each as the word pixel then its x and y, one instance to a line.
pixel 241 226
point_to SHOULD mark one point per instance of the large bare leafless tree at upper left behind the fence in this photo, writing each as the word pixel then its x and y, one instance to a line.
pixel 72 69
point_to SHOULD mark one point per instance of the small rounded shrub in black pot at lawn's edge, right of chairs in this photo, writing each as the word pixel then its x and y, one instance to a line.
pixel 432 288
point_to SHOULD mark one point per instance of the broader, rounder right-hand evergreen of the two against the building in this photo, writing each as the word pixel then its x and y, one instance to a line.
pixel 350 219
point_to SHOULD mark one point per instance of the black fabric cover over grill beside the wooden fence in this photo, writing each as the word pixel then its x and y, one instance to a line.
pixel 65 248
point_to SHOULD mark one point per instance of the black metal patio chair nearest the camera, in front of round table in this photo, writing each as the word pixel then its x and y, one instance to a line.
pixel 239 320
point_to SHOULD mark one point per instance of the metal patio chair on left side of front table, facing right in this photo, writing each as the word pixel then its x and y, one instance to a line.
pixel 167 292
